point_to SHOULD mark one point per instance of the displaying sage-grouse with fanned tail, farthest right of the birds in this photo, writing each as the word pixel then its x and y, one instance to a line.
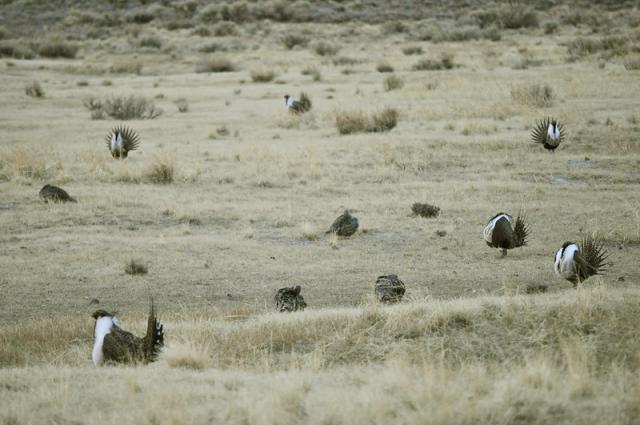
pixel 577 262
